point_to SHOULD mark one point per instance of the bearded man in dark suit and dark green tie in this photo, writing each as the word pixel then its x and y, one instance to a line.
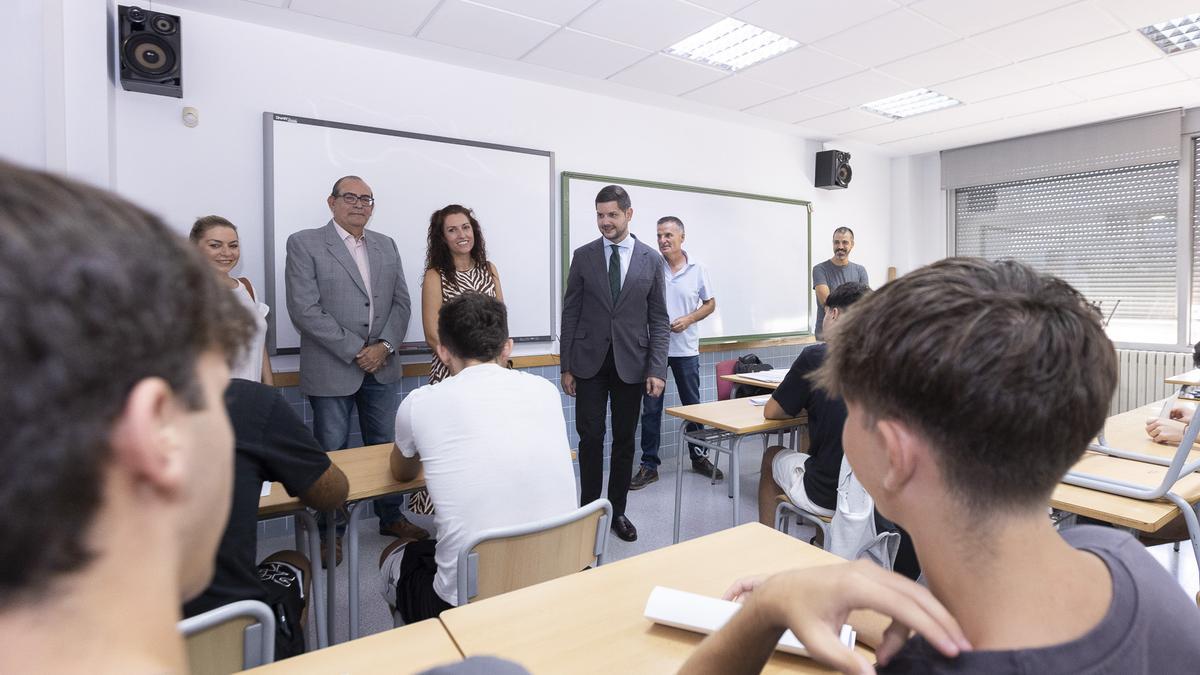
pixel 615 338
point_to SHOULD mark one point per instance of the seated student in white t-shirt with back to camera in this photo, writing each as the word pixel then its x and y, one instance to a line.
pixel 495 451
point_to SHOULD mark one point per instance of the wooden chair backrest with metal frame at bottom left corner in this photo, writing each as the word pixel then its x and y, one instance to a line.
pixel 230 638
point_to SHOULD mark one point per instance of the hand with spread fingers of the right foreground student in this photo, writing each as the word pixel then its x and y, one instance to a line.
pixel 815 602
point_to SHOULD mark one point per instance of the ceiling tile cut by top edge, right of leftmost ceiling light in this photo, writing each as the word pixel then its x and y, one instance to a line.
pixel 809 21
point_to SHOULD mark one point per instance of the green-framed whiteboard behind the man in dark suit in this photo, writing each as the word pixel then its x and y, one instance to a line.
pixel 754 248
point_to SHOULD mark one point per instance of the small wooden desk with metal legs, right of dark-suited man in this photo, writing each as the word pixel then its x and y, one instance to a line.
pixel 735 420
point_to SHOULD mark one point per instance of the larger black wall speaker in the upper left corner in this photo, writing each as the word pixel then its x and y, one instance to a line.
pixel 151 52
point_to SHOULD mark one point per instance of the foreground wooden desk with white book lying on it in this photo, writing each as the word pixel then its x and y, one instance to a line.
pixel 593 623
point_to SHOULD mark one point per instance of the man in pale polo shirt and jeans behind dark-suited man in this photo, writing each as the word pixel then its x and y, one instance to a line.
pixel 689 298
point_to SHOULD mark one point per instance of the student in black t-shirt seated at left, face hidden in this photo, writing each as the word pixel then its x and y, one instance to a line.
pixel 273 445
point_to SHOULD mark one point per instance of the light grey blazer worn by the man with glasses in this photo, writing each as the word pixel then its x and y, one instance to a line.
pixel 328 302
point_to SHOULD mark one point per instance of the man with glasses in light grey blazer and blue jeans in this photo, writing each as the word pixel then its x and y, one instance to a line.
pixel 349 300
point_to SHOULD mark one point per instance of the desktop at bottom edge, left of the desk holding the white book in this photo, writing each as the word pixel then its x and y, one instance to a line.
pixel 409 649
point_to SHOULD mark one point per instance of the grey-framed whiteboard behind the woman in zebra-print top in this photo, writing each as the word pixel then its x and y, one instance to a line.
pixel 412 176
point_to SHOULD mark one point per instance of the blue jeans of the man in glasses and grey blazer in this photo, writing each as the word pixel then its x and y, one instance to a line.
pixel 377 422
